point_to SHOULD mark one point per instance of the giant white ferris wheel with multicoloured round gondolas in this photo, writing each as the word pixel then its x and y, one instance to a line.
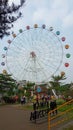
pixel 34 54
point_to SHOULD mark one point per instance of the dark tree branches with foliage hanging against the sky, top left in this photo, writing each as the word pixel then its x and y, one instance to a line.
pixel 6 17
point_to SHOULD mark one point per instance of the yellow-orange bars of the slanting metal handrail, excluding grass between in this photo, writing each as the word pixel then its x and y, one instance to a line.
pixel 59 114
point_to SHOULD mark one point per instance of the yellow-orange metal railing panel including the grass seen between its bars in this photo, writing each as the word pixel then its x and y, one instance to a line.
pixel 64 114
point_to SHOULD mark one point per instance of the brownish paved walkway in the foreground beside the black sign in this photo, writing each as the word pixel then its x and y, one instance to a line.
pixel 13 118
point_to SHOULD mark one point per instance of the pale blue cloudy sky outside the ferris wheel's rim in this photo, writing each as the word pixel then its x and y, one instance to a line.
pixel 55 13
